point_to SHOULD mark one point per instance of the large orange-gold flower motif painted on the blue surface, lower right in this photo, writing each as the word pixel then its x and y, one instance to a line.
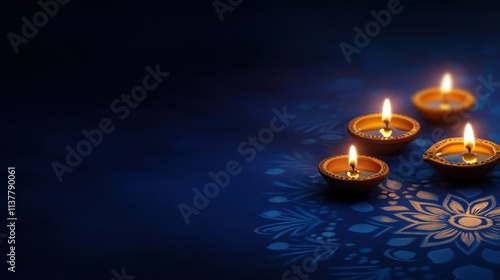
pixel 468 224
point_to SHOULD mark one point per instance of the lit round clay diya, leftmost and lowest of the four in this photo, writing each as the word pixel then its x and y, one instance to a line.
pixel 353 173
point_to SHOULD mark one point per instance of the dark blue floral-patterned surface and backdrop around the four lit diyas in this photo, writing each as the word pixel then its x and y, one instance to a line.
pixel 276 219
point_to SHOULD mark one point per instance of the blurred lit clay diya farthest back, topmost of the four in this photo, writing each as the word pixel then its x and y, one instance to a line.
pixel 445 103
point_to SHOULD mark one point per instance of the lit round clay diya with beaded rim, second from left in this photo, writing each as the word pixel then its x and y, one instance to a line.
pixel 383 133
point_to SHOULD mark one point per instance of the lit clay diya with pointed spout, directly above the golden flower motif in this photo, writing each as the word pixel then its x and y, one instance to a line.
pixel 465 157
